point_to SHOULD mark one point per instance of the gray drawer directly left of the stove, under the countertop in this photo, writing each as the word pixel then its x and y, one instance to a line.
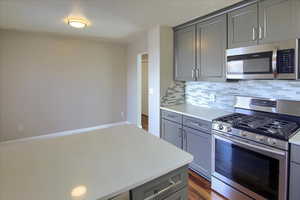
pixel 197 124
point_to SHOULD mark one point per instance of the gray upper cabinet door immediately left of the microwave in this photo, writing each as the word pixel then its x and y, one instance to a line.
pixel 211 55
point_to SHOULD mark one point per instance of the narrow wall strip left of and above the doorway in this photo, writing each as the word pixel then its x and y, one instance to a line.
pixel 135 48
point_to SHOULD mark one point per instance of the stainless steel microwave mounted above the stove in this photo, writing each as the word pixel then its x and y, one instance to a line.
pixel 269 61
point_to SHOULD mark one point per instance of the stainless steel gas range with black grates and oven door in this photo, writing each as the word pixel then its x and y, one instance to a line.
pixel 250 149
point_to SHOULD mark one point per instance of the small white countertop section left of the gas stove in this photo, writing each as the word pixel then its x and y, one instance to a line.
pixel 204 113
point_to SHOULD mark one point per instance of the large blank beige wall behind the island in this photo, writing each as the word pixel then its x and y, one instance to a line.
pixel 53 83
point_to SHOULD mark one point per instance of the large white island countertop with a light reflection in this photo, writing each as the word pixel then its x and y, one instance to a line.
pixel 107 162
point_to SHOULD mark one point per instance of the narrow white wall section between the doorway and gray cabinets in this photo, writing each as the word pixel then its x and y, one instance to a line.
pixel 160 48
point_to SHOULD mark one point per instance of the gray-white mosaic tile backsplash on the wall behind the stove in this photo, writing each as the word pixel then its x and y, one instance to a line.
pixel 221 94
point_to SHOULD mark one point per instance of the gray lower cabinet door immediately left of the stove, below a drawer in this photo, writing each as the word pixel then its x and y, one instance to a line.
pixel 198 144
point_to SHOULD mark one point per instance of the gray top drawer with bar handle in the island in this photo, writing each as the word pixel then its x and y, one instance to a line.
pixel 162 187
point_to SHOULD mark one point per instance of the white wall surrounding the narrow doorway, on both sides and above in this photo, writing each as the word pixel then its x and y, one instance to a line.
pixel 159 44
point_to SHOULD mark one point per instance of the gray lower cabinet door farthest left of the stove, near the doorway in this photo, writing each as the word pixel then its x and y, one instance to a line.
pixel 172 133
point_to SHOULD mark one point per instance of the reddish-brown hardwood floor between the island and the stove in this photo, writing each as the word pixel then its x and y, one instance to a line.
pixel 199 189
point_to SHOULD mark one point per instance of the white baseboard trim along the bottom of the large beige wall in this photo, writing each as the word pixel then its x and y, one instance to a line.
pixel 65 133
